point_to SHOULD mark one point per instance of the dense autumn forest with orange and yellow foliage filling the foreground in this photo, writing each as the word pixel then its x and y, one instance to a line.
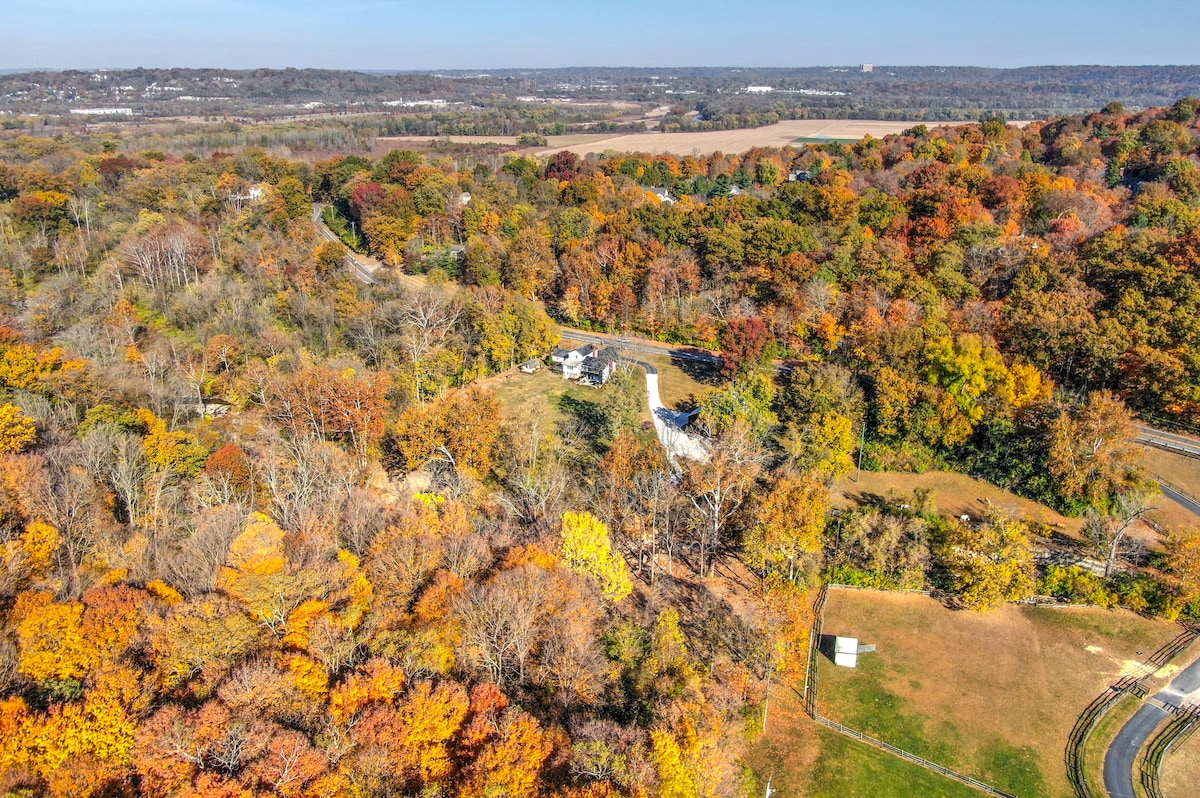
pixel 266 530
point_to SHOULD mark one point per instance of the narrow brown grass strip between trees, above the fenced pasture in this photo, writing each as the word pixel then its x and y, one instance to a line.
pixel 953 495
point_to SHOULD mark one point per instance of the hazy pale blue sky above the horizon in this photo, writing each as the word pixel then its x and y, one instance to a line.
pixel 476 34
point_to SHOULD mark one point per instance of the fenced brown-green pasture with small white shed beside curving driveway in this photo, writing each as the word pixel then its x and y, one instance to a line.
pixel 992 695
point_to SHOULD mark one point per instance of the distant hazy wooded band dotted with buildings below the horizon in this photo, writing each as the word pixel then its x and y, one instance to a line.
pixel 580 99
